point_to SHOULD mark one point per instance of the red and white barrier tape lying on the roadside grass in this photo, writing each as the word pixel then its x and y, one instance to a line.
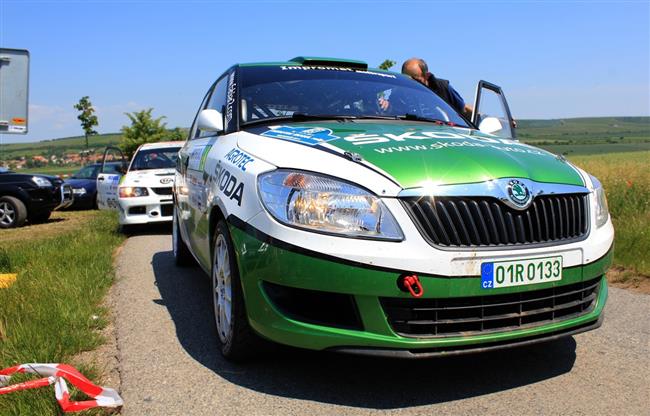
pixel 57 374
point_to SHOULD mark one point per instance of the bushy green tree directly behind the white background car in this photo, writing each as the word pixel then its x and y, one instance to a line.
pixel 143 129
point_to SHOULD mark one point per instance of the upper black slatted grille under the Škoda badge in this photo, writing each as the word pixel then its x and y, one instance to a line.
pixel 487 222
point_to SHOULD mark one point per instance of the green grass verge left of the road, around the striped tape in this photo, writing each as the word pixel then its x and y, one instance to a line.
pixel 53 310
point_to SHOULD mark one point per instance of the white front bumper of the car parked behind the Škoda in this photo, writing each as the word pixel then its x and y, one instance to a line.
pixel 147 209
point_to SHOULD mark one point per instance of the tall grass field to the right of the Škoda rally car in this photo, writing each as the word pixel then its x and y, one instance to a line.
pixel 626 178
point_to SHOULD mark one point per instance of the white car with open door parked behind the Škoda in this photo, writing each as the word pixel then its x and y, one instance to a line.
pixel 144 194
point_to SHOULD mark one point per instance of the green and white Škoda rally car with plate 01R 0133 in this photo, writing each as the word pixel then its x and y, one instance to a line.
pixel 326 222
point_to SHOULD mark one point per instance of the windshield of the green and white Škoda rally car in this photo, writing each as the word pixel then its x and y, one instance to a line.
pixel 280 91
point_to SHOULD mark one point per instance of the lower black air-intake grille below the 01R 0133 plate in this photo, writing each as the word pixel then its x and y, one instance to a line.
pixel 476 315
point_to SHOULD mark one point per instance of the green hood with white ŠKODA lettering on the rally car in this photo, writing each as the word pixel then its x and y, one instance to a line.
pixel 422 154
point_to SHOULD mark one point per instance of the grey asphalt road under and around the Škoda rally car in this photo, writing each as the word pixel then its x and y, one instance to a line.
pixel 169 363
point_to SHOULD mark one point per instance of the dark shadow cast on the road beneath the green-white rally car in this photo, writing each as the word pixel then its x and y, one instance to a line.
pixel 363 382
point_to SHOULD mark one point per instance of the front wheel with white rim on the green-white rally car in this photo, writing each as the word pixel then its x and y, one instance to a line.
pixel 236 337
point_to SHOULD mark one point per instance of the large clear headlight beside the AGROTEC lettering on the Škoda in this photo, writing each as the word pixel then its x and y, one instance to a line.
pixel 318 203
